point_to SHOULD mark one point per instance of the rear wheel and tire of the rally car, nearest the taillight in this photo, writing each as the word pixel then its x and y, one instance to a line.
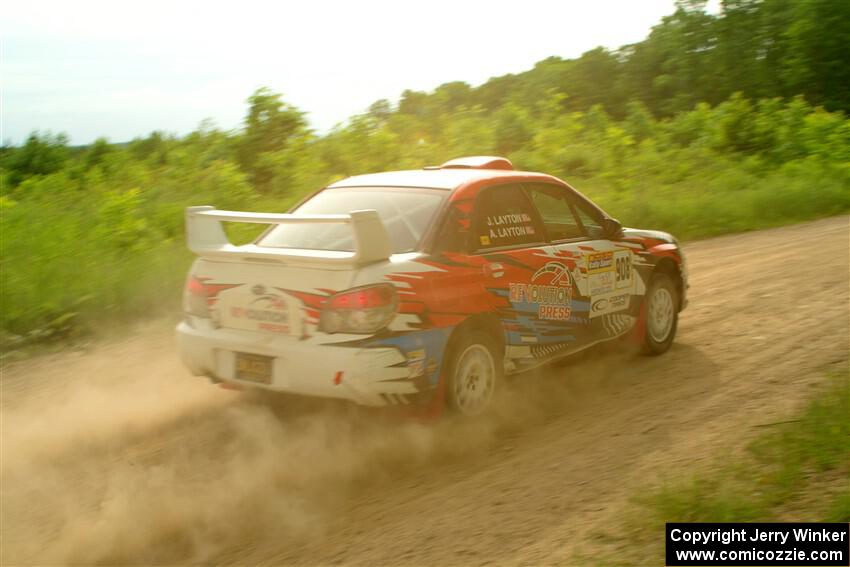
pixel 474 375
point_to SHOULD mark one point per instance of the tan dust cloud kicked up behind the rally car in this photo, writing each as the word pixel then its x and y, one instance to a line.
pixel 122 458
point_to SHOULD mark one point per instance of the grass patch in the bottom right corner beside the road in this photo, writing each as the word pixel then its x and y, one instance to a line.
pixel 796 470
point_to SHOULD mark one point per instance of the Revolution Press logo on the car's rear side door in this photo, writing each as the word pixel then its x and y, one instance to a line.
pixel 550 289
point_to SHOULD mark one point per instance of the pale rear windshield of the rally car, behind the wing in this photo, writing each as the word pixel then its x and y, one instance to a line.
pixel 406 213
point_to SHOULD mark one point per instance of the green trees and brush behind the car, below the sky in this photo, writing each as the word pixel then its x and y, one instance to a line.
pixel 708 126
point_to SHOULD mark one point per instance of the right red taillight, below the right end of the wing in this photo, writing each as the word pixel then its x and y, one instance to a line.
pixel 363 310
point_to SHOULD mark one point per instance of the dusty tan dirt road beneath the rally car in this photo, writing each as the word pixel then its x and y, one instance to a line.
pixel 118 456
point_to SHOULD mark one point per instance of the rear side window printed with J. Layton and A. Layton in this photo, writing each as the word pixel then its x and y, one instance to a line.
pixel 504 216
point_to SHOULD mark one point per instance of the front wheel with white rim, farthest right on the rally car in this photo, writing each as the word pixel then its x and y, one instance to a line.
pixel 661 315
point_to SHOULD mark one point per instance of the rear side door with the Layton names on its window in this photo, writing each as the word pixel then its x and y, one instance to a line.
pixel 531 288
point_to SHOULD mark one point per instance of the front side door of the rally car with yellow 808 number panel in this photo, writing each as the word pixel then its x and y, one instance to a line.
pixel 604 277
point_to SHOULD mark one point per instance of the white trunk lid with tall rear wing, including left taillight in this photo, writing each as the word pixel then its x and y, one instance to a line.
pixel 274 289
